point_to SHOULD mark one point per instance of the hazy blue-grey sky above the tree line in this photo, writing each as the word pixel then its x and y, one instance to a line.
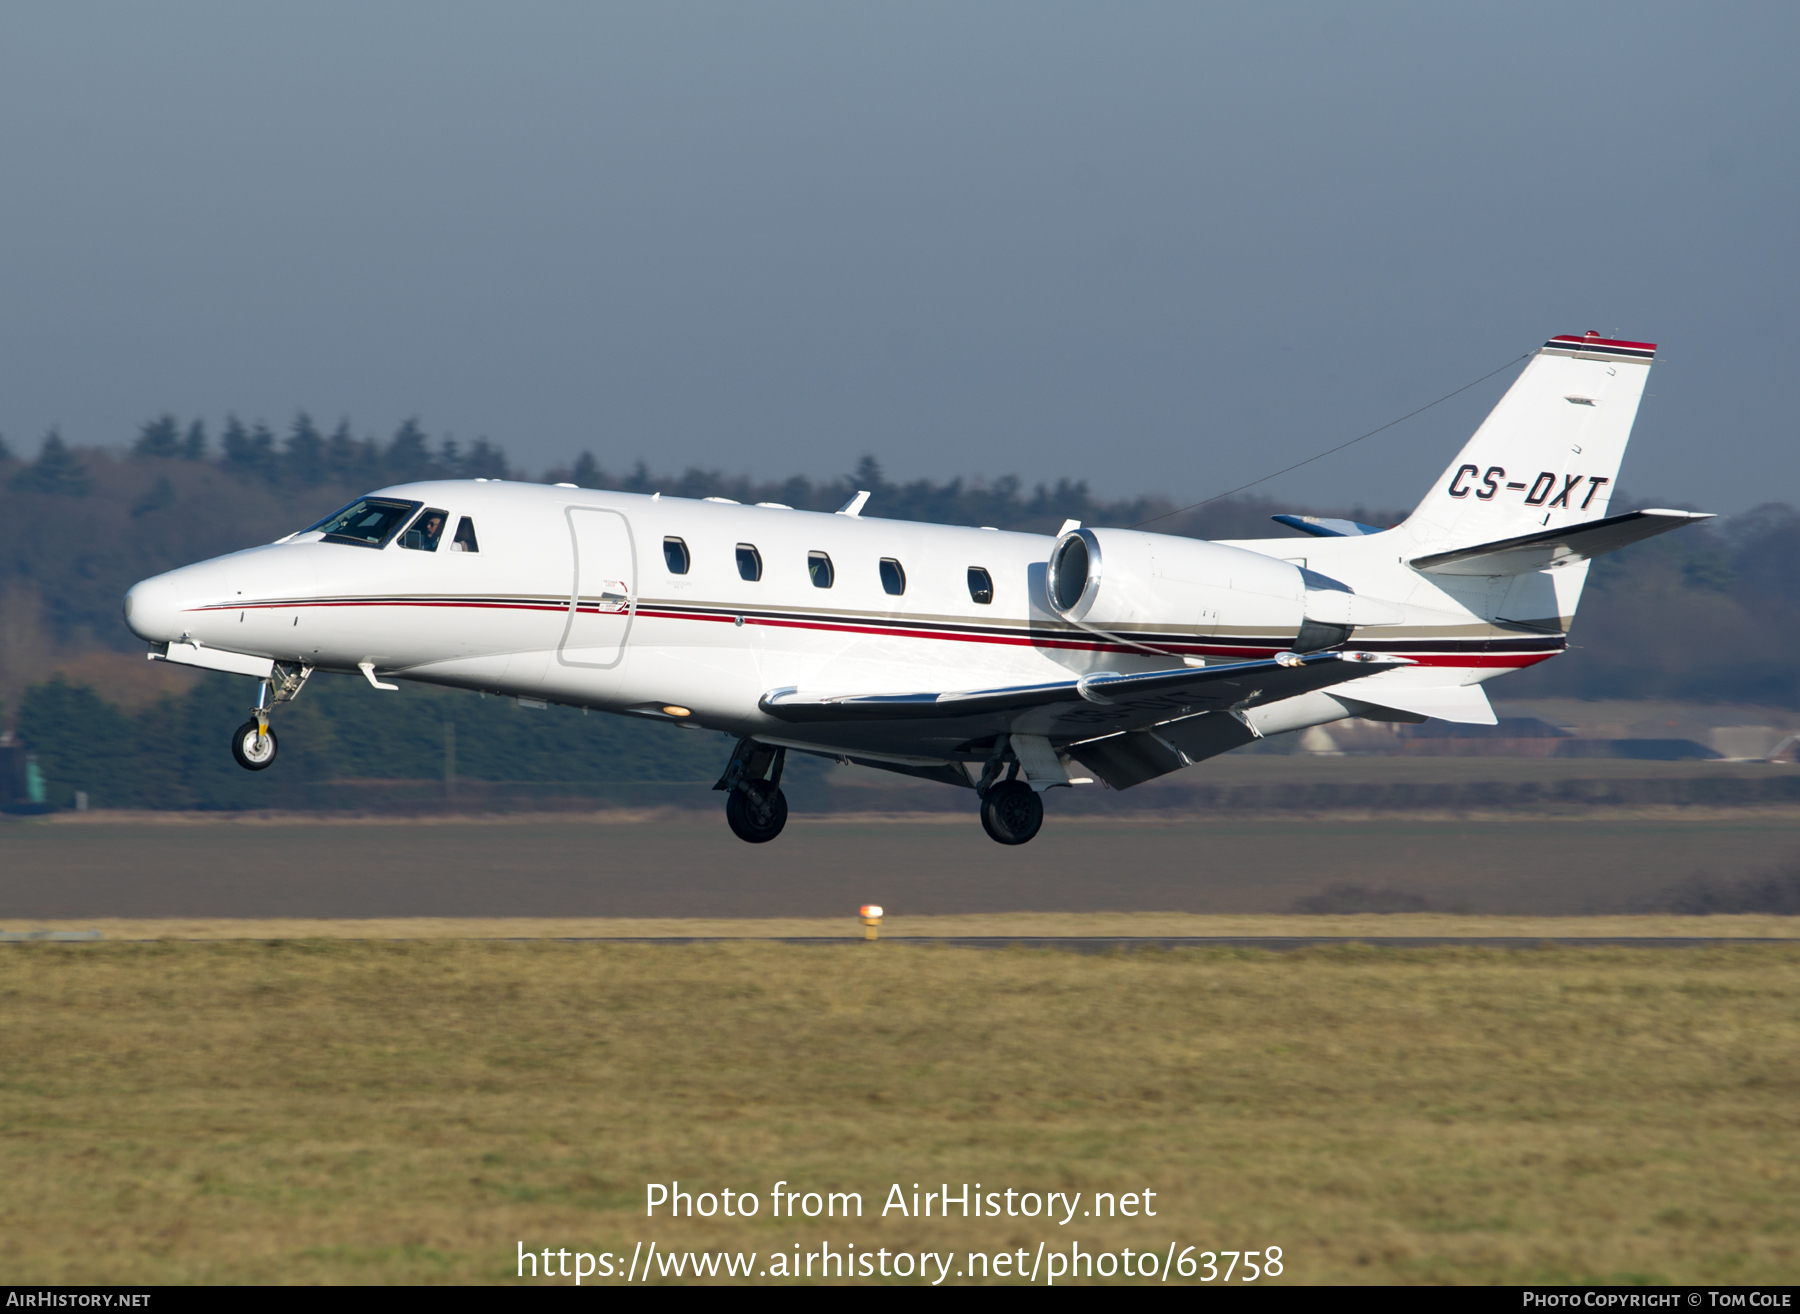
pixel 1156 247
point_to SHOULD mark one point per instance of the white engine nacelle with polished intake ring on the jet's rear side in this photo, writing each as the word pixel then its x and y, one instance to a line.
pixel 1122 579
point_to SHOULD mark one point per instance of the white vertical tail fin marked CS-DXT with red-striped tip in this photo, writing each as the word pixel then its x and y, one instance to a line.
pixel 1549 454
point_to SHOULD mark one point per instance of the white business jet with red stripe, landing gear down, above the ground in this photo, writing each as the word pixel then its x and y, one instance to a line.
pixel 1000 663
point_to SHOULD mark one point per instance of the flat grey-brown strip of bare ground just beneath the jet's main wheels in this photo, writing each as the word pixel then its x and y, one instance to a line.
pixel 692 868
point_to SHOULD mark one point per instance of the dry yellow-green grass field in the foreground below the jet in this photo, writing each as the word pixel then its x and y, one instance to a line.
pixel 357 1111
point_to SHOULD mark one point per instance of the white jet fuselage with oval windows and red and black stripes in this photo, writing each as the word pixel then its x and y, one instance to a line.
pixel 571 598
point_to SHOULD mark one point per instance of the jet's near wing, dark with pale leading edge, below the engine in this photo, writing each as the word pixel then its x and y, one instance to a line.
pixel 1086 706
